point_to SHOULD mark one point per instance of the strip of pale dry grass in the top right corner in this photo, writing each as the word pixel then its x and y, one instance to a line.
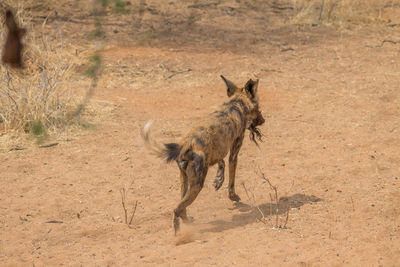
pixel 344 13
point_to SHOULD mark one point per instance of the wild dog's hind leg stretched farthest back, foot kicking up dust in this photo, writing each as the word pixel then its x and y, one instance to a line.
pixel 195 180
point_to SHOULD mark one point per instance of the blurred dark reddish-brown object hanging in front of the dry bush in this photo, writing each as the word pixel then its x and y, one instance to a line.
pixel 12 49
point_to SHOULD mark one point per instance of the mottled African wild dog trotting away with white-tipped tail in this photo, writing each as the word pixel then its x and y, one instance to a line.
pixel 209 142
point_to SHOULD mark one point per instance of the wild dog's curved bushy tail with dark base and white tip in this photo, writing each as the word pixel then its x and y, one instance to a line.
pixel 168 152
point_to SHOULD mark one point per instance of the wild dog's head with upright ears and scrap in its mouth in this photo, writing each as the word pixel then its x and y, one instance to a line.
pixel 254 115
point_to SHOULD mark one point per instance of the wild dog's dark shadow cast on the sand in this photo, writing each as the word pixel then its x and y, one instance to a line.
pixel 250 214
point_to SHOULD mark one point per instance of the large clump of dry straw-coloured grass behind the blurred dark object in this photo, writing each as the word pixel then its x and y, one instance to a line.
pixel 40 99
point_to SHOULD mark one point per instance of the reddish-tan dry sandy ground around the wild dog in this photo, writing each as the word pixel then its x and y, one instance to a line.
pixel 331 146
